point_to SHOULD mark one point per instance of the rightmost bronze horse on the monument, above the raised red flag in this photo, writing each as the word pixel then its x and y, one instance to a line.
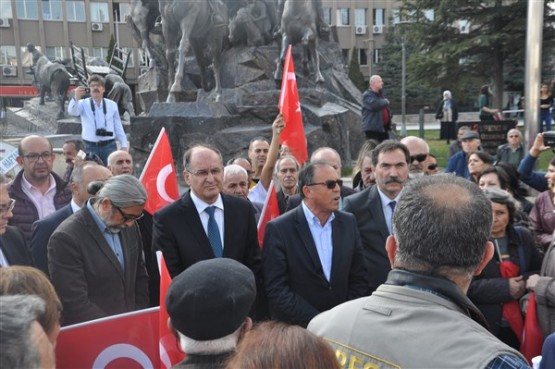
pixel 298 24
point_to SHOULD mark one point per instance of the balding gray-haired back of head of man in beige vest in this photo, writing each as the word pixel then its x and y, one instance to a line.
pixel 441 225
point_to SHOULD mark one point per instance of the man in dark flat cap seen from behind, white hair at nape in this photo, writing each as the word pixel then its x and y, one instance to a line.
pixel 208 305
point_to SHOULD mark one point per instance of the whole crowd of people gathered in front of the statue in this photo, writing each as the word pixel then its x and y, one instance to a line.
pixel 408 268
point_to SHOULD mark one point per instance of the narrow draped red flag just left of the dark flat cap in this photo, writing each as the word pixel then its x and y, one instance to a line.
pixel 169 352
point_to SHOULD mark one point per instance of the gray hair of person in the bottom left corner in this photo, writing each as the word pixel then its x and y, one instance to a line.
pixel 17 346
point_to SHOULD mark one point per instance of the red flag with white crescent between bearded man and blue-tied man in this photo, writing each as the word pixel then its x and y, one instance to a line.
pixel 158 176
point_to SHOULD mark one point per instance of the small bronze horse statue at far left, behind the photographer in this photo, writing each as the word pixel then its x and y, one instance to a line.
pixel 51 77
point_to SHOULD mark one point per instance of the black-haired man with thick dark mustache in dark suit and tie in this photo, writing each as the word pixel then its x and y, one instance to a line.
pixel 373 208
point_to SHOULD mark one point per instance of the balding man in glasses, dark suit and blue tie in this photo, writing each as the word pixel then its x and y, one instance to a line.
pixel 186 232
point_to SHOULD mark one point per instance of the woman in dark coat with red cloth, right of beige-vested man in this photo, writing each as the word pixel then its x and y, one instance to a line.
pixel 502 283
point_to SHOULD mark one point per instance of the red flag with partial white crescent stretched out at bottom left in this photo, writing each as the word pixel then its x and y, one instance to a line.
pixel 124 341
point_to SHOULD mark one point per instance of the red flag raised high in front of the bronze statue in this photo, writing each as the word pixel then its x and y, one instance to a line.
pixel 293 134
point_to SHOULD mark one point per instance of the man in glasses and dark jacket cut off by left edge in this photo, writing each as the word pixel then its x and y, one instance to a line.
pixel 13 250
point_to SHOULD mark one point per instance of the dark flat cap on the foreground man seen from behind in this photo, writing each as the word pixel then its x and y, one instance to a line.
pixel 211 299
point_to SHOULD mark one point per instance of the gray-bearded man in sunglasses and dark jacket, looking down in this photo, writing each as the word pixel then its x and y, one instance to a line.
pixel 95 256
